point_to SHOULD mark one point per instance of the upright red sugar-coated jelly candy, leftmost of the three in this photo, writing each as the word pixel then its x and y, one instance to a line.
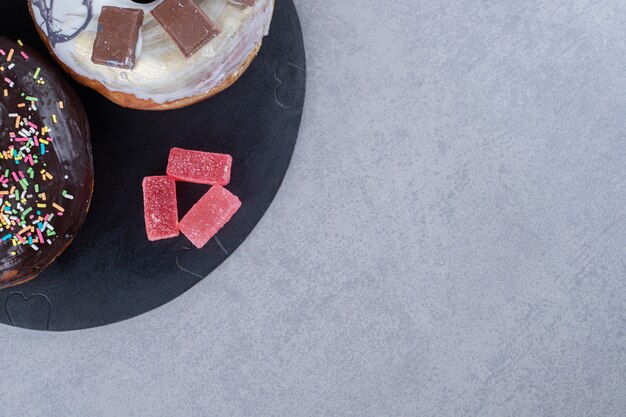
pixel 160 207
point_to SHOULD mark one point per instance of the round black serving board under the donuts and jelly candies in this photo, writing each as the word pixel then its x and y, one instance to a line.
pixel 111 272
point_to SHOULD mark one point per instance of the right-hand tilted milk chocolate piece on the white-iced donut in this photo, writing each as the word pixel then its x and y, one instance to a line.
pixel 186 23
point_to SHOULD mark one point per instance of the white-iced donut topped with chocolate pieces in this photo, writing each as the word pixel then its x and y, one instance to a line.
pixel 164 75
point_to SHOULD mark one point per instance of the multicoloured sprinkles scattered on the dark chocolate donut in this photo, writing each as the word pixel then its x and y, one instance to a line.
pixel 27 212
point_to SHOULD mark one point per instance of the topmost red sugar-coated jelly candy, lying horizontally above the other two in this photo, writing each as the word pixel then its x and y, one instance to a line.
pixel 199 167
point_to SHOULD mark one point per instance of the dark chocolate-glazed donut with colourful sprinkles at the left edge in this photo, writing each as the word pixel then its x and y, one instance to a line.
pixel 46 175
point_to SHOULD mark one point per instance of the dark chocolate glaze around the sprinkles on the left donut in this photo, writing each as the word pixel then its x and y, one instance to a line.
pixel 68 158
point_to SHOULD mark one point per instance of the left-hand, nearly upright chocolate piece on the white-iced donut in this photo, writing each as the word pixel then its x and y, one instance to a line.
pixel 116 39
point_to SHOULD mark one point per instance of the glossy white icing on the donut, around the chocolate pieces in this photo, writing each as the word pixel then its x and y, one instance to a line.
pixel 161 73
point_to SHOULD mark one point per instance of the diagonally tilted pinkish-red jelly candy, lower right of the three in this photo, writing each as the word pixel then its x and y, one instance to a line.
pixel 209 215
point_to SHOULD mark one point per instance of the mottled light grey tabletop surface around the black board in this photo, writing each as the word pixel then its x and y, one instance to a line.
pixel 449 240
